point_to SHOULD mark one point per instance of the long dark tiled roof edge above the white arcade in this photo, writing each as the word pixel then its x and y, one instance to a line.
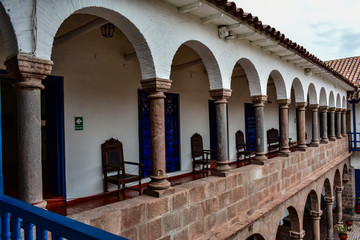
pixel 232 9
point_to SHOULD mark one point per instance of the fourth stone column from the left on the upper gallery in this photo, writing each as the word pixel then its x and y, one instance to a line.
pixel 258 102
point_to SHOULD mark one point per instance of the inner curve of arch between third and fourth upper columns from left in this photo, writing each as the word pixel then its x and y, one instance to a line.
pixel 252 76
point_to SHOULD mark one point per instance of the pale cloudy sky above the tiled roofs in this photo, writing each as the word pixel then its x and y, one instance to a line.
pixel 329 29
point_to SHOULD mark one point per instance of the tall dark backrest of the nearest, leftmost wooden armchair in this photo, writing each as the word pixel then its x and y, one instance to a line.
pixel 112 155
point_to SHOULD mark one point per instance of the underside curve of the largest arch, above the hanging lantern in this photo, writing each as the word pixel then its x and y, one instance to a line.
pixel 130 31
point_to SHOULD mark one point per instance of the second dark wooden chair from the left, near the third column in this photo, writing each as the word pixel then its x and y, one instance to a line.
pixel 199 155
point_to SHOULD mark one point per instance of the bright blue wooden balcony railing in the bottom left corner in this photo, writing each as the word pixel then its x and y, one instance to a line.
pixel 16 214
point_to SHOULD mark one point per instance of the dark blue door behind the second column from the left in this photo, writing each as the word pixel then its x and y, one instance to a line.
pixel 172 136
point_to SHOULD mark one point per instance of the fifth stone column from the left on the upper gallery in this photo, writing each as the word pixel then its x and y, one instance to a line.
pixel 284 115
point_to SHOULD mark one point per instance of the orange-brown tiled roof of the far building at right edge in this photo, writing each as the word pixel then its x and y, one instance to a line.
pixel 348 67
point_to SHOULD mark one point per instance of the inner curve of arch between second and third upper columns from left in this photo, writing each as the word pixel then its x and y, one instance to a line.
pixel 209 61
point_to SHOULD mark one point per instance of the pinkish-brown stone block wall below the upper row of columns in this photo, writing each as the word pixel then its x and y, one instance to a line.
pixel 199 207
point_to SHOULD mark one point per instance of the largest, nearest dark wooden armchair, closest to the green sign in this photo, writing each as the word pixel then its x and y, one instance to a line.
pixel 113 162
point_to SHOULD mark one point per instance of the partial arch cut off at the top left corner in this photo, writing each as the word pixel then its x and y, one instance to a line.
pixel 7 34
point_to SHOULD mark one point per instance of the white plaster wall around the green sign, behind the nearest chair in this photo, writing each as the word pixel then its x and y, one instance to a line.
pixel 102 88
